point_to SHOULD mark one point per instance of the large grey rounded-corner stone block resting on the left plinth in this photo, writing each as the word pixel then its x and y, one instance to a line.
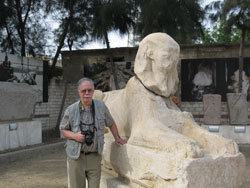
pixel 17 101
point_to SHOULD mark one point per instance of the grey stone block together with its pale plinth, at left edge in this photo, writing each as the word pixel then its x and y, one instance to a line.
pixel 16 126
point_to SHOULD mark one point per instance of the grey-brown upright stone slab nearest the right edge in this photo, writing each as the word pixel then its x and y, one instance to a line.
pixel 238 109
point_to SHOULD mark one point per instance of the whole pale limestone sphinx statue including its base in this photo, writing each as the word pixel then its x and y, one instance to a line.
pixel 165 147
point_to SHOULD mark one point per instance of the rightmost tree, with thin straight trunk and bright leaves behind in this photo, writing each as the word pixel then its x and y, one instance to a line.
pixel 235 14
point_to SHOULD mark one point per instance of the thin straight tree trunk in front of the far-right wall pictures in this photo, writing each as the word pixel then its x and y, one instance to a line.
pixel 241 59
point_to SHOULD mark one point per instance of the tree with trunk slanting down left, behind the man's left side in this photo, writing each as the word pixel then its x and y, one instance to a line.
pixel 73 18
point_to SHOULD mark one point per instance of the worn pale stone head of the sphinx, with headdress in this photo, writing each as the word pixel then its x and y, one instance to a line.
pixel 156 63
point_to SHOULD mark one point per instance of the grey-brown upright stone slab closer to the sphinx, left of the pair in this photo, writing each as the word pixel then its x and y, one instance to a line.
pixel 212 109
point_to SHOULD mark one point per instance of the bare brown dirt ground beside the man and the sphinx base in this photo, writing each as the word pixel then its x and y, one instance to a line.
pixel 49 171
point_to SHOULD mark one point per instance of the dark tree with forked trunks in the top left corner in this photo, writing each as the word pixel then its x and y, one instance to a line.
pixel 23 27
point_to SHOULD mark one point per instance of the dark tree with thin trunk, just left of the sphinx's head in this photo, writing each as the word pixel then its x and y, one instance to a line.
pixel 110 15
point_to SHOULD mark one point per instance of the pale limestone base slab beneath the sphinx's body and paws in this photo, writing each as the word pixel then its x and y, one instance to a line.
pixel 141 165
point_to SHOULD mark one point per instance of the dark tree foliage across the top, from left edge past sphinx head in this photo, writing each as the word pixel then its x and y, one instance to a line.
pixel 24 26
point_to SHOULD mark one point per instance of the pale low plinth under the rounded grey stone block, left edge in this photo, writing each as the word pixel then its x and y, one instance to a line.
pixel 20 134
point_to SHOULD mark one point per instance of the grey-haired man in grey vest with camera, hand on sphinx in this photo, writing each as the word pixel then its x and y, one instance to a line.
pixel 83 125
